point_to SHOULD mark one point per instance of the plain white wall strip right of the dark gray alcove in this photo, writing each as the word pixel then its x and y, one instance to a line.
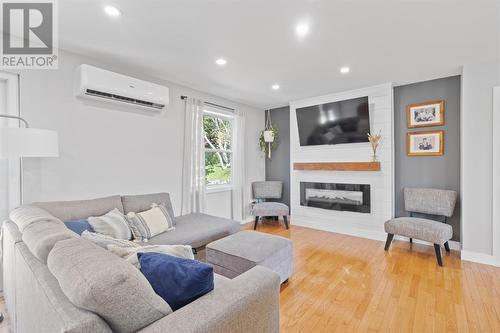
pixel 478 81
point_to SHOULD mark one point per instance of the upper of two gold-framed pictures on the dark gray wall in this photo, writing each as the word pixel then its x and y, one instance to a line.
pixel 425 114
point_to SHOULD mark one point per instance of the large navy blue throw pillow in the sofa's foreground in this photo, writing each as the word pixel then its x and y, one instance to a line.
pixel 178 281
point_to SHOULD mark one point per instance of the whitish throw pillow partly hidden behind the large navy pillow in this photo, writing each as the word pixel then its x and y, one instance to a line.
pixel 130 253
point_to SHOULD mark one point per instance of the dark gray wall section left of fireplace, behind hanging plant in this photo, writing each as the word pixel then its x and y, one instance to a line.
pixel 278 167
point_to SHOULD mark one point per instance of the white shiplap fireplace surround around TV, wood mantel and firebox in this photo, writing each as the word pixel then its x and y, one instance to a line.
pixel 368 225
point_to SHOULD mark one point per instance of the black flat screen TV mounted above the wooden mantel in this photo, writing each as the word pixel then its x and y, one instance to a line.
pixel 334 123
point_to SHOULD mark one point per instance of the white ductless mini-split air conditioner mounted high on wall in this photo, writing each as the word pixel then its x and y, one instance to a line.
pixel 103 85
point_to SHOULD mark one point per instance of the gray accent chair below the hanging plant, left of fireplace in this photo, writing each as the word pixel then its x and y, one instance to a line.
pixel 263 191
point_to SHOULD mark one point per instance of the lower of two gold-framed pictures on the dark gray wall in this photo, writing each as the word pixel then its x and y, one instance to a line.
pixel 425 143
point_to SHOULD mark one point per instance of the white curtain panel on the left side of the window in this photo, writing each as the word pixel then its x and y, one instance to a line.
pixel 193 174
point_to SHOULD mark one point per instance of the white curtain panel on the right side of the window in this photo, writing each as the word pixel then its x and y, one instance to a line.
pixel 238 168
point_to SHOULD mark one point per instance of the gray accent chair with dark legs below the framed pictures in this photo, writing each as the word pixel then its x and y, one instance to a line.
pixel 438 203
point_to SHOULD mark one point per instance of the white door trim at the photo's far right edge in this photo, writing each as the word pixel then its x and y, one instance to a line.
pixel 496 175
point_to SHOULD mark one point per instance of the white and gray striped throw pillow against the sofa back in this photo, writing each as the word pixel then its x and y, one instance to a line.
pixel 150 223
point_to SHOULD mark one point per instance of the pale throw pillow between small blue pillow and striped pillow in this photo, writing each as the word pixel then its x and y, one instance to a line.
pixel 113 224
